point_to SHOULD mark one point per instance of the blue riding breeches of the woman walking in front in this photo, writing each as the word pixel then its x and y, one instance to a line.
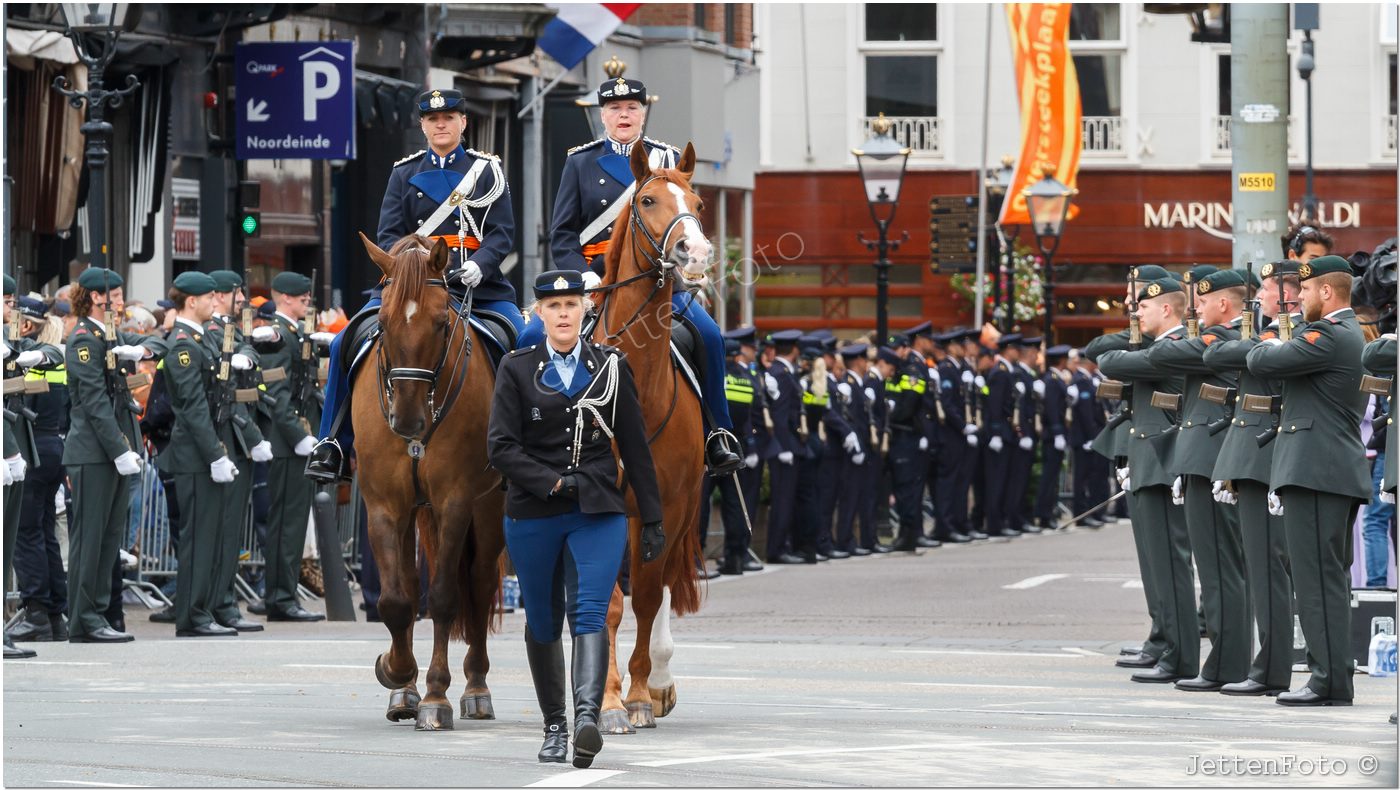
pixel 566 565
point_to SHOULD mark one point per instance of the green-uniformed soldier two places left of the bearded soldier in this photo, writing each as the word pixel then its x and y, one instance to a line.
pixel 1213 526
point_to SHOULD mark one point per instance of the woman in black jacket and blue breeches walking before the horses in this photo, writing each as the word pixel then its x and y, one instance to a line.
pixel 558 408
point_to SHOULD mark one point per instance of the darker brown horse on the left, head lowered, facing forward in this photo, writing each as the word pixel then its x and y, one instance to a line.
pixel 423 474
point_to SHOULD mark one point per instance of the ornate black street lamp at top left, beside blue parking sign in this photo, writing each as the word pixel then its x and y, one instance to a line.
pixel 94 29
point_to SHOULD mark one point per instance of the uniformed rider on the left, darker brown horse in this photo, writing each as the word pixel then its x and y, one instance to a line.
pixel 446 193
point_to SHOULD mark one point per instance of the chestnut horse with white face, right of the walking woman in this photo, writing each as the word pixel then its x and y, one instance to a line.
pixel 657 239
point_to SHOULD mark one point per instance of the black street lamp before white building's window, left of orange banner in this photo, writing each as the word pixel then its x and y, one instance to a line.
pixel 883 172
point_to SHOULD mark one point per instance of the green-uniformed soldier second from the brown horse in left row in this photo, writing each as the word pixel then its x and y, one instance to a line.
pixel 251 449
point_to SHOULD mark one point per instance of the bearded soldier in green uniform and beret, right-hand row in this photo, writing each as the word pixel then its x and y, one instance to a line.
pixel 1319 470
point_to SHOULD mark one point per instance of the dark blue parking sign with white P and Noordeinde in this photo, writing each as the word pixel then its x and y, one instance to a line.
pixel 296 100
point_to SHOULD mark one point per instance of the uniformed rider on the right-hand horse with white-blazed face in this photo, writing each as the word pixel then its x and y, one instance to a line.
pixel 596 184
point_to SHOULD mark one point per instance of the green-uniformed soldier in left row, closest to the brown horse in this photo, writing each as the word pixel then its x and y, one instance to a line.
pixel 289 424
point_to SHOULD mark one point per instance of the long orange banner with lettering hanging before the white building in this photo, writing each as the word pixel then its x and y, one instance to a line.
pixel 1049 90
